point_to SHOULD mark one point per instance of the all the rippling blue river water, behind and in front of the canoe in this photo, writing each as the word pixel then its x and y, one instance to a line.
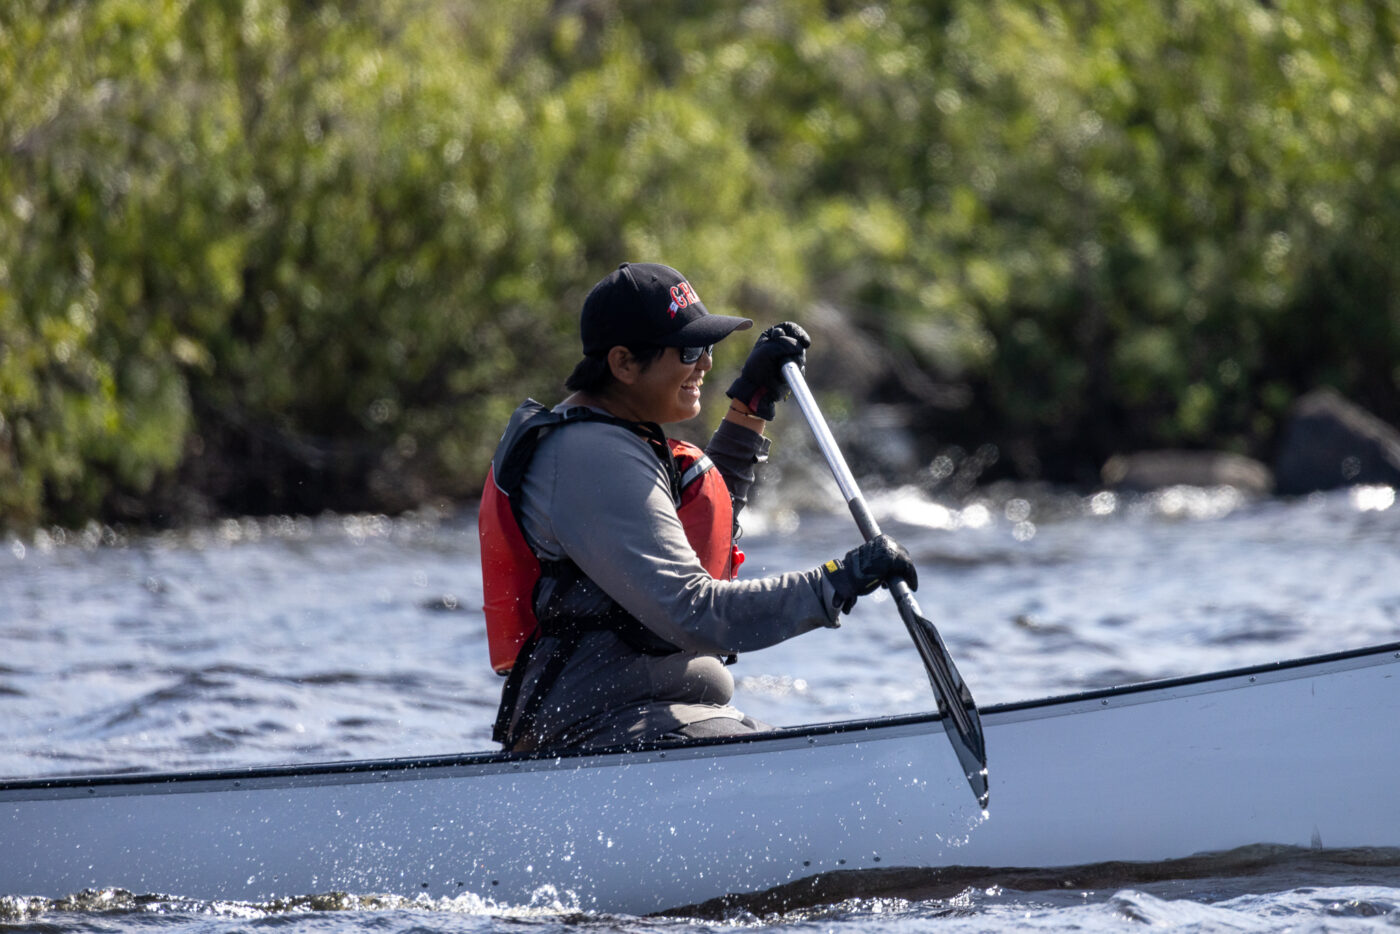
pixel 299 641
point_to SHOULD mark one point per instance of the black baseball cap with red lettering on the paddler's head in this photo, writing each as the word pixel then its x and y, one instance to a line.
pixel 650 305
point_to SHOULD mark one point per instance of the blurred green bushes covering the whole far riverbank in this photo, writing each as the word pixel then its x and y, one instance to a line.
pixel 274 256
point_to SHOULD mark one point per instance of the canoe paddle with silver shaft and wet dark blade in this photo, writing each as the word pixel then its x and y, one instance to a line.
pixel 955 702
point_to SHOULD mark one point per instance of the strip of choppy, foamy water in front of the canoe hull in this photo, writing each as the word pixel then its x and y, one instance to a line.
pixel 1252 890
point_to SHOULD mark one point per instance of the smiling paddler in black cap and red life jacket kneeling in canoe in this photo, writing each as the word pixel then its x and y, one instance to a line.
pixel 617 608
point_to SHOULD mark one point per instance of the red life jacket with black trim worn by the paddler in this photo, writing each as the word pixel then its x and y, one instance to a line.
pixel 510 568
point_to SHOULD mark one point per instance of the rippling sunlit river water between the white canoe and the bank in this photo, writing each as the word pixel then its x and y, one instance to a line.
pixel 289 639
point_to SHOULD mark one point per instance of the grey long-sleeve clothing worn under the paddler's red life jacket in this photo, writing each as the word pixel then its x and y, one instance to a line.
pixel 598 495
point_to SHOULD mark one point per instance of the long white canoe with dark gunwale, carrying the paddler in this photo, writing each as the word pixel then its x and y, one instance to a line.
pixel 1300 754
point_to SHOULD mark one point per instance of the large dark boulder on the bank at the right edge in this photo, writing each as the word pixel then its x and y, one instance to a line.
pixel 1332 443
